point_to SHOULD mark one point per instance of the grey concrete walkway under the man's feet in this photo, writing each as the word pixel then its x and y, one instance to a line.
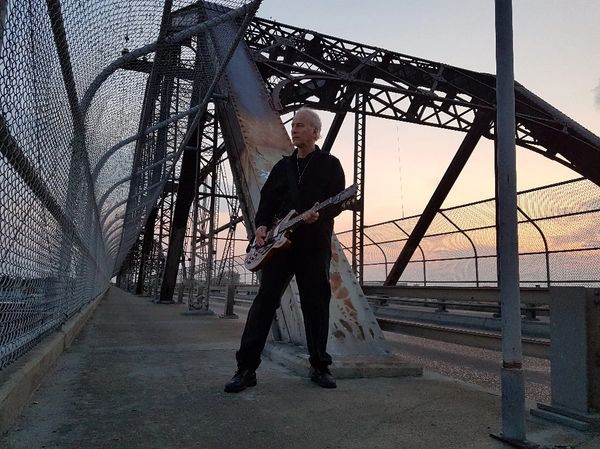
pixel 143 375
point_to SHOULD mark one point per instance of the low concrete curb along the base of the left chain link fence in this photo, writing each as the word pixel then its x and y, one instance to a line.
pixel 21 379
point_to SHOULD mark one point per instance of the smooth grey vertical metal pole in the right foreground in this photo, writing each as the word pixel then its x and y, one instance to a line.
pixel 513 391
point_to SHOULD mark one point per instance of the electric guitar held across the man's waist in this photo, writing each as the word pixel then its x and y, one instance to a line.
pixel 278 238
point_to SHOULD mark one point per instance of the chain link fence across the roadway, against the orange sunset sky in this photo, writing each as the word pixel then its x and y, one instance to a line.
pixel 559 241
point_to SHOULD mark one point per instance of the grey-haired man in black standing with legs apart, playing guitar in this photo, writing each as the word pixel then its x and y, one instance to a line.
pixel 307 177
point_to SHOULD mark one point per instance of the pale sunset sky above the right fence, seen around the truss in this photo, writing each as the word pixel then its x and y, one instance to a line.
pixel 556 55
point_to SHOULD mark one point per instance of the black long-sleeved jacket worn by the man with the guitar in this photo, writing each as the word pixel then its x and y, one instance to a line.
pixel 322 178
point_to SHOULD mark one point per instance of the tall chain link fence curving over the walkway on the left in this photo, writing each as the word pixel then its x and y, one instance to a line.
pixel 96 99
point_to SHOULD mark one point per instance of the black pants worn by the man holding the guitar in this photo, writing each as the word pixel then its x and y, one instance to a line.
pixel 312 275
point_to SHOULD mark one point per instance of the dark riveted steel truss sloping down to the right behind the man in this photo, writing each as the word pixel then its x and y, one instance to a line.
pixel 301 67
